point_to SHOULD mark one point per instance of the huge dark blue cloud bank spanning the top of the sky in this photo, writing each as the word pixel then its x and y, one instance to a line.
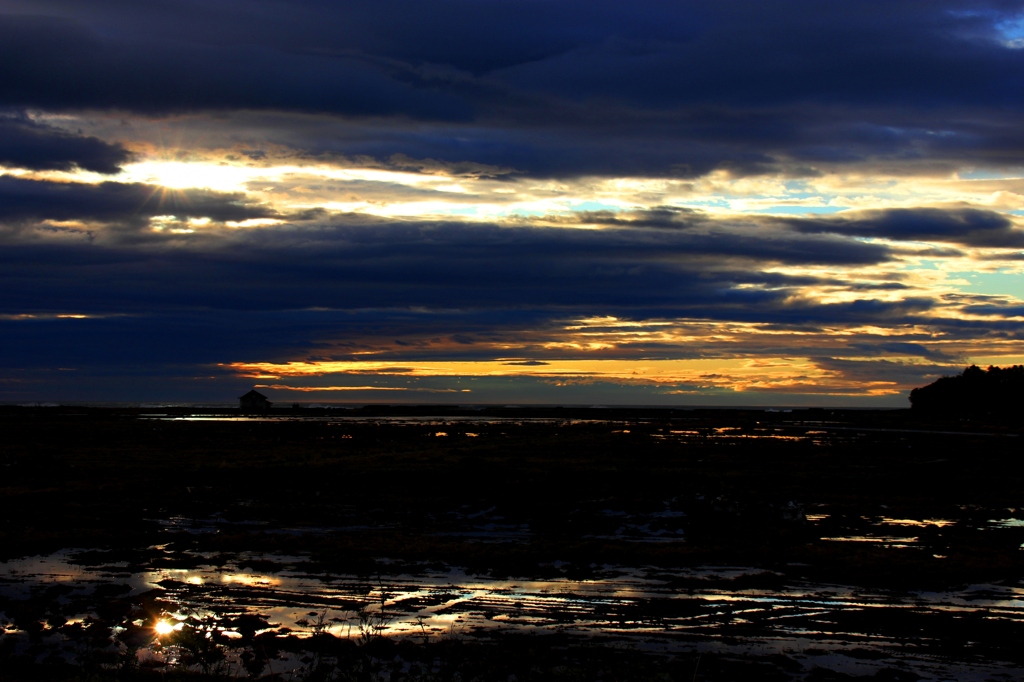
pixel 566 88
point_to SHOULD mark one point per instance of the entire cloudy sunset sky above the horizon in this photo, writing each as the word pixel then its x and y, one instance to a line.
pixel 574 202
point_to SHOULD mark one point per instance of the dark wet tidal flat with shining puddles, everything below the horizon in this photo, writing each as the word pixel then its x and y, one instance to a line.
pixel 500 544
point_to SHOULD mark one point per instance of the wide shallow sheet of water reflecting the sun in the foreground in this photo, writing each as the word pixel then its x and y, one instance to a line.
pixel 712 610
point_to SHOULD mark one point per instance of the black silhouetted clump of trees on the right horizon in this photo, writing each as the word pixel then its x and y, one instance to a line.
pixel 996 391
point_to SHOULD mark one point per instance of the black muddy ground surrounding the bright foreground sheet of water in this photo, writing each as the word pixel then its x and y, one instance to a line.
pixel 883 501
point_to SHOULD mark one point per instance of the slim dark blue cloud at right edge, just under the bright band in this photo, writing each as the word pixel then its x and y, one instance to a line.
pixel 968 227
